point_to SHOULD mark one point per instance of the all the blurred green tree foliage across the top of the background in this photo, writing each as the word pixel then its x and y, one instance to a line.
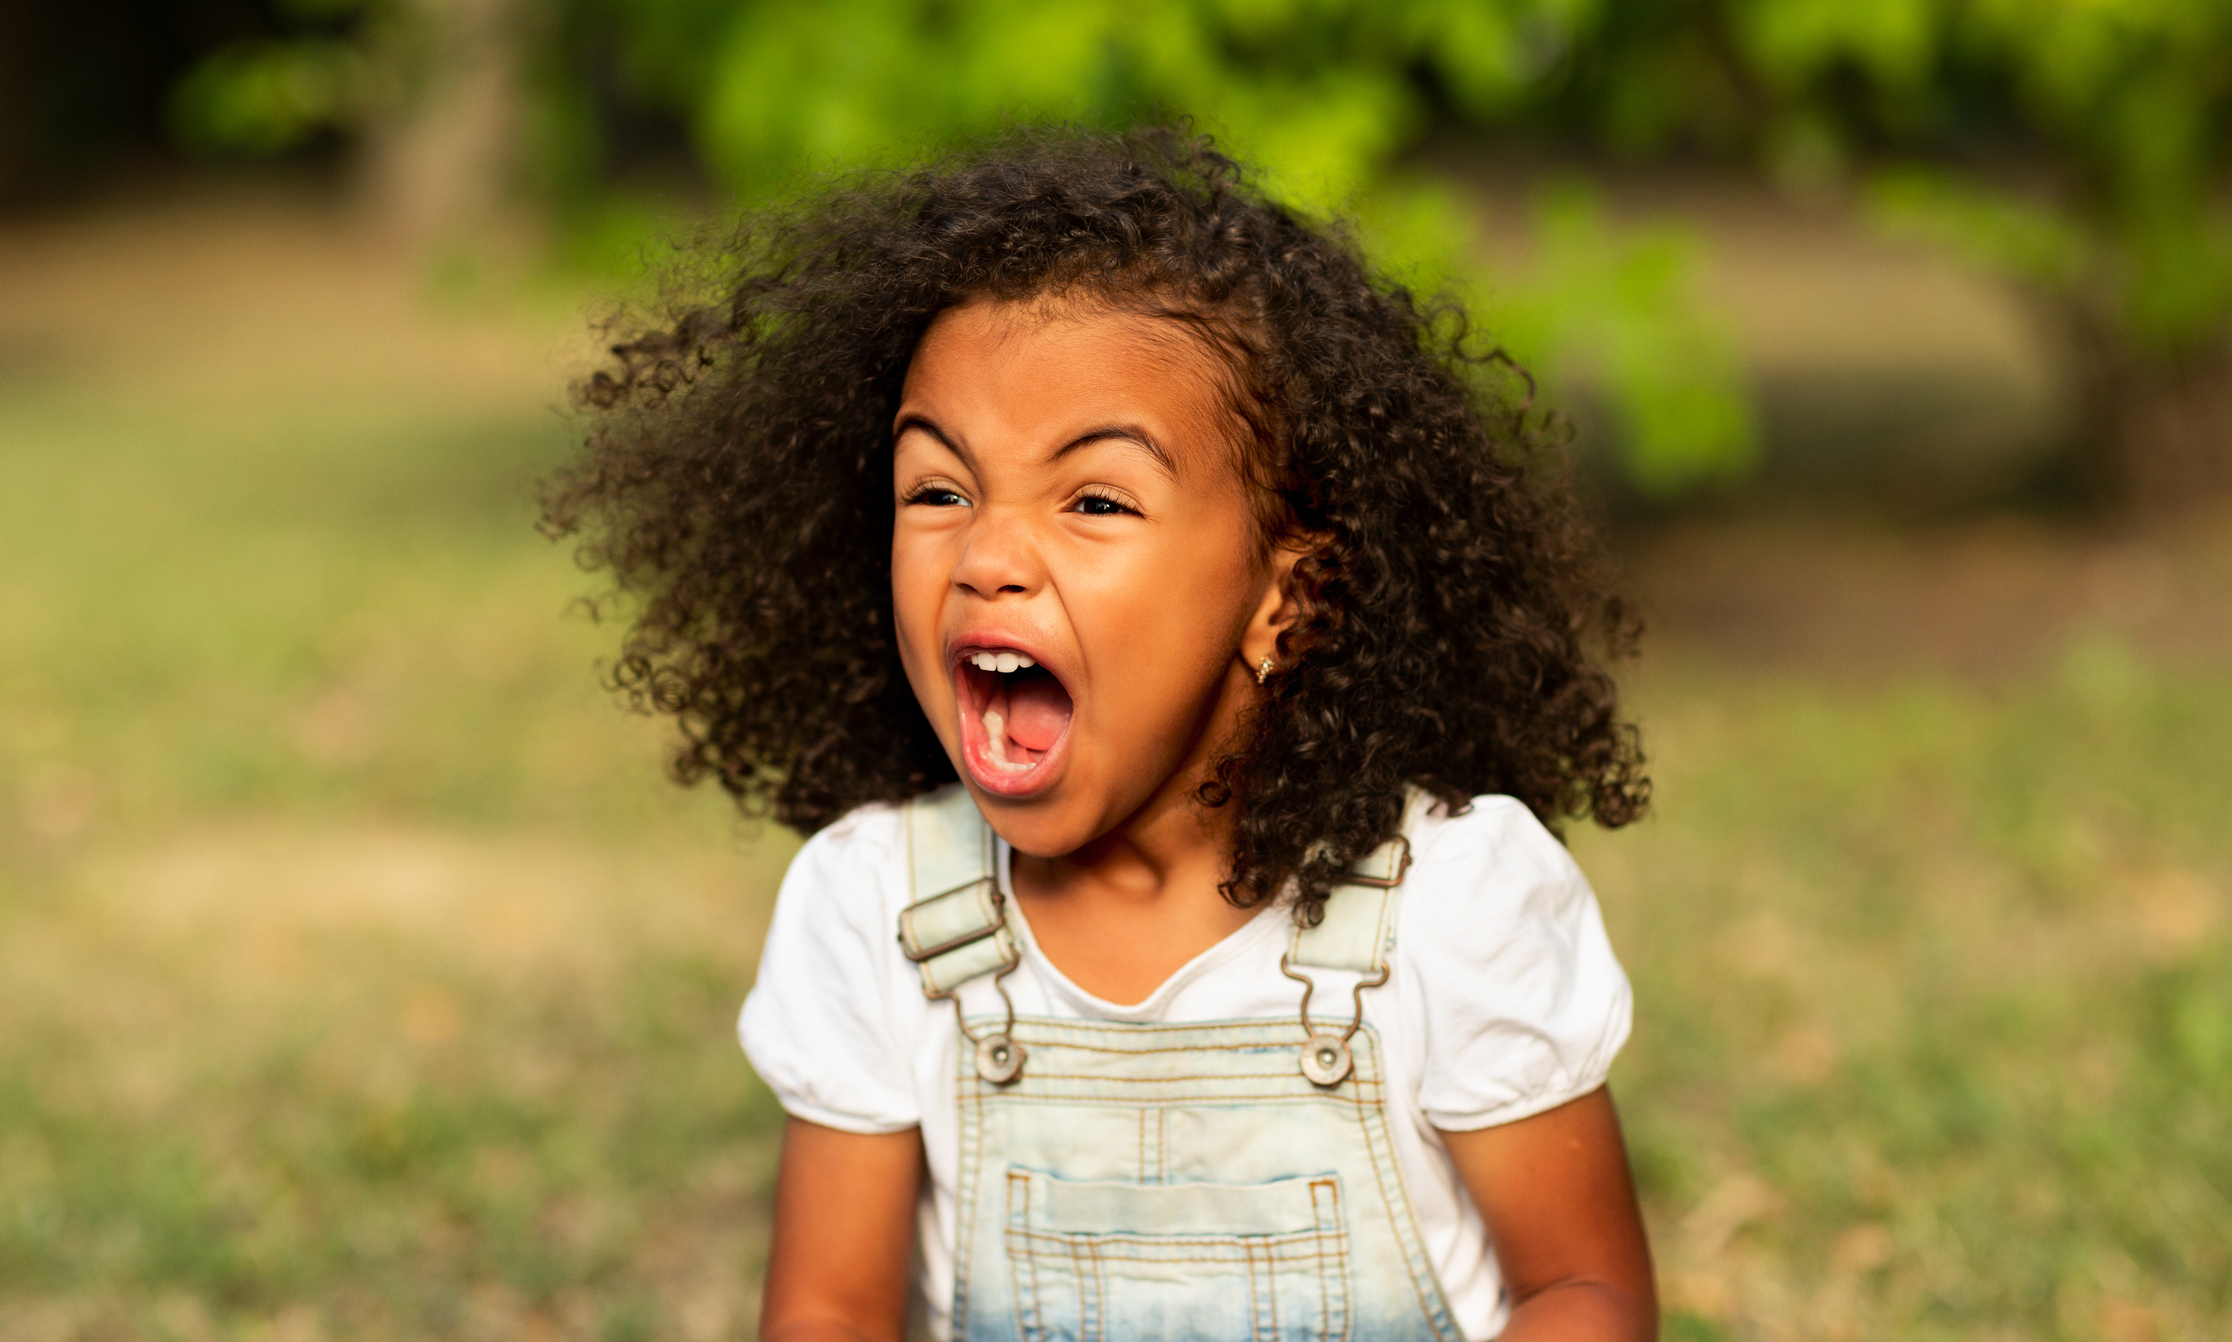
pixel 2077 146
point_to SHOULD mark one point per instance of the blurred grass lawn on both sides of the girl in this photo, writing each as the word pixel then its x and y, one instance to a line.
pixel 363 979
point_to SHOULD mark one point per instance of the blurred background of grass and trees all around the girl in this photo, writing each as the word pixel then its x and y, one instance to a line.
pixel 363 979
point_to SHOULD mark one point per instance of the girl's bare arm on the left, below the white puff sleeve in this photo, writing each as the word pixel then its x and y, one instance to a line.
pixel 845 1236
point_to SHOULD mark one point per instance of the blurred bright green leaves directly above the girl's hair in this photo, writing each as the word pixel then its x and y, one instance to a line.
pixel 1320 90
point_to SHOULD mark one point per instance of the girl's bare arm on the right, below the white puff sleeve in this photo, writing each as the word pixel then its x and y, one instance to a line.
pixel 1564 1220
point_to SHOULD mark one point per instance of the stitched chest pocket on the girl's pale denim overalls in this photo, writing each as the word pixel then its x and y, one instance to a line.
pixel 1211 1263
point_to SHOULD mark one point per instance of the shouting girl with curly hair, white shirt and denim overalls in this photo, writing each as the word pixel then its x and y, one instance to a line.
pixel 1157 626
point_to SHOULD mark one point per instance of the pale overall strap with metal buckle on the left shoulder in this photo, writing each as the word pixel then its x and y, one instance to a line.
pixel 956 923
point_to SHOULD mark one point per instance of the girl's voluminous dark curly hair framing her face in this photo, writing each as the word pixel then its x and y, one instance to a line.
pixel 1454 606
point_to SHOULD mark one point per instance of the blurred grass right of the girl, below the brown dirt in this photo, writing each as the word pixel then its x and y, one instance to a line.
pixel 1936 1004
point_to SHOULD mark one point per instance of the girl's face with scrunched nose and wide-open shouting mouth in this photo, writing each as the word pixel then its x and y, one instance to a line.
pixel 1075 566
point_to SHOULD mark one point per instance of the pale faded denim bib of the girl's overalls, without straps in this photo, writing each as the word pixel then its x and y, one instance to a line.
pixel 1184 1182
